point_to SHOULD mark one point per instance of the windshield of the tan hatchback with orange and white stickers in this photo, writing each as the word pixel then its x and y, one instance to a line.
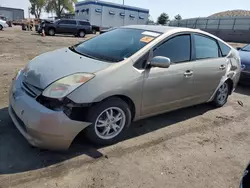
pixel 115 45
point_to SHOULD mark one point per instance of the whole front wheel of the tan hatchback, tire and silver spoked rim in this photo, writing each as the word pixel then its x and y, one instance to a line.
pixel 102 130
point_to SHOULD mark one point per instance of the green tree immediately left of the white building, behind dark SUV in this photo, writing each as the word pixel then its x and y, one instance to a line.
pixel 59 6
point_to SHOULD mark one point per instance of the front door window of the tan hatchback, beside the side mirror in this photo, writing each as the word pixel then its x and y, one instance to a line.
pixel 177 49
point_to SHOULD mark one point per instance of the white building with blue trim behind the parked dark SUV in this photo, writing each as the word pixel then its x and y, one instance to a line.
pixel 105 14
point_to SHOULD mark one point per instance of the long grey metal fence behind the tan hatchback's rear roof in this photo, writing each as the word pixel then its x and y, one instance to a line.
pixel 228 29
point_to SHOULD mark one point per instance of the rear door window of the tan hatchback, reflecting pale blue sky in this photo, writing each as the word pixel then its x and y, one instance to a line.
pixel 205 47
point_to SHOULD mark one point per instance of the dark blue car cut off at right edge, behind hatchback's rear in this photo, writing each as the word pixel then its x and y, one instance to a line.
pixel 245 64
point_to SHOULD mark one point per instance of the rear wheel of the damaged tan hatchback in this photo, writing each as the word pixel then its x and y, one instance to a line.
pixel 222 94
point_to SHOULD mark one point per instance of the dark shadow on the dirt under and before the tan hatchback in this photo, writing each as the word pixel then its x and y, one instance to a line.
pixel 16 155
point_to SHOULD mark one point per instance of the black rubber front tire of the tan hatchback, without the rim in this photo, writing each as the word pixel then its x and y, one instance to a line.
pixel 95 111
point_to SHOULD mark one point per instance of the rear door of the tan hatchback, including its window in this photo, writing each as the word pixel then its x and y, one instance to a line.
pixel 209 66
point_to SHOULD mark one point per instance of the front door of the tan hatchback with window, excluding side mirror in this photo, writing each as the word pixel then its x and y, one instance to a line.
pixel 170 88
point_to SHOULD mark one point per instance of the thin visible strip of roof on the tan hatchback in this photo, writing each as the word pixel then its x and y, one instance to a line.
pixel 160 28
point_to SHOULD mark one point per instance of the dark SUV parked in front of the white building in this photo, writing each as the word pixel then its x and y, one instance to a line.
pixel 66 26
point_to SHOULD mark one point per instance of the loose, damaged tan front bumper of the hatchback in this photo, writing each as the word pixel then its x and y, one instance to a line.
pixel 41 126
